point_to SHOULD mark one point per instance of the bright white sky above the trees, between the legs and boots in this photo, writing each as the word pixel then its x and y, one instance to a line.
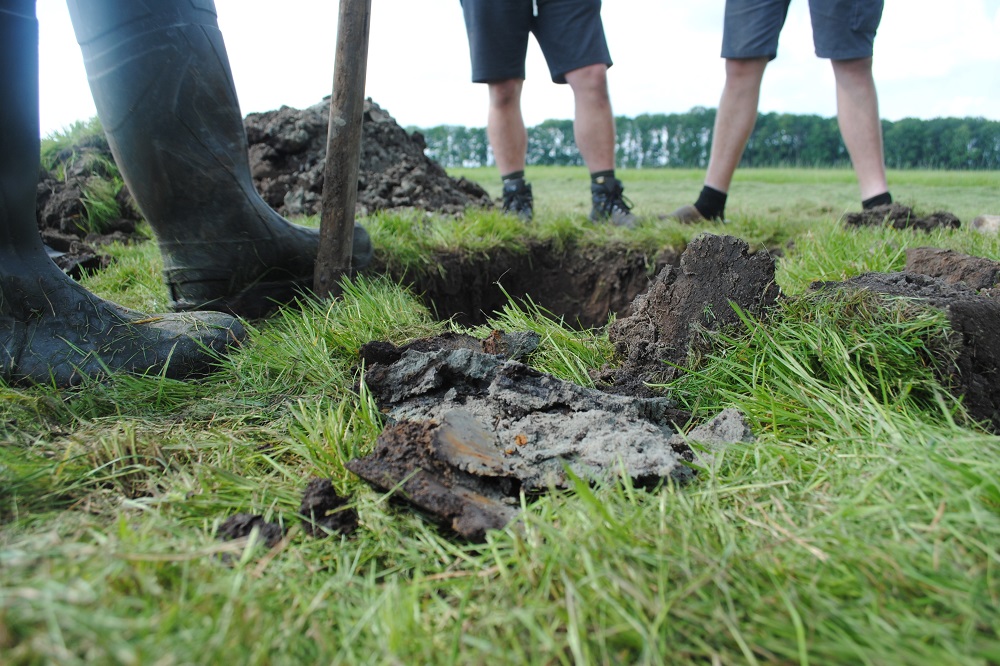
pixel 931 59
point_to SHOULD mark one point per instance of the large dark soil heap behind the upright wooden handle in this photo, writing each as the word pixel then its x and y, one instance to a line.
pixel 288 154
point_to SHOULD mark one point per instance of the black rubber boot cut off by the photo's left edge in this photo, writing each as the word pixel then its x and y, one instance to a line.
pixel 51 329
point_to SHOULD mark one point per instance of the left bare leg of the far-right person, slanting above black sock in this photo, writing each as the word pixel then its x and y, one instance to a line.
pixel 735 119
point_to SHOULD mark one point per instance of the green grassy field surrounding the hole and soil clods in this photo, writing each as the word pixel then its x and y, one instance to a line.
pixel 862 526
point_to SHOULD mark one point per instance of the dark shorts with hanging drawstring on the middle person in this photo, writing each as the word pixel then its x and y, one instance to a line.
pixel 570 33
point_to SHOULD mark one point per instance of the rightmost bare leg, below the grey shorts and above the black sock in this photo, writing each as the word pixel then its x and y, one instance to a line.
pixel 857 115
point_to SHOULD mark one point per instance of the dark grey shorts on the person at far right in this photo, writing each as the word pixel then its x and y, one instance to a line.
pixel 842 29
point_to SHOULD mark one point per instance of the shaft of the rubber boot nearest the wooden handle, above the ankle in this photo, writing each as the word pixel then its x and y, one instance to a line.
pixel 164 92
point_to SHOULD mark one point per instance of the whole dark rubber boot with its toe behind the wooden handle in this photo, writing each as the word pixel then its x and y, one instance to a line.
pixel 164 93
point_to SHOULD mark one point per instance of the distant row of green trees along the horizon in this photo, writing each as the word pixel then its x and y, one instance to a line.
pixel 778 140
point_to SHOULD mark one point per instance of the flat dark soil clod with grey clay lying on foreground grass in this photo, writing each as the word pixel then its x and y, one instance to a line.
pixel 468 431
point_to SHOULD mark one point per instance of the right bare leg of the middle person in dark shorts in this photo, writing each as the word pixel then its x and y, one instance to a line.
pixel 593 124
